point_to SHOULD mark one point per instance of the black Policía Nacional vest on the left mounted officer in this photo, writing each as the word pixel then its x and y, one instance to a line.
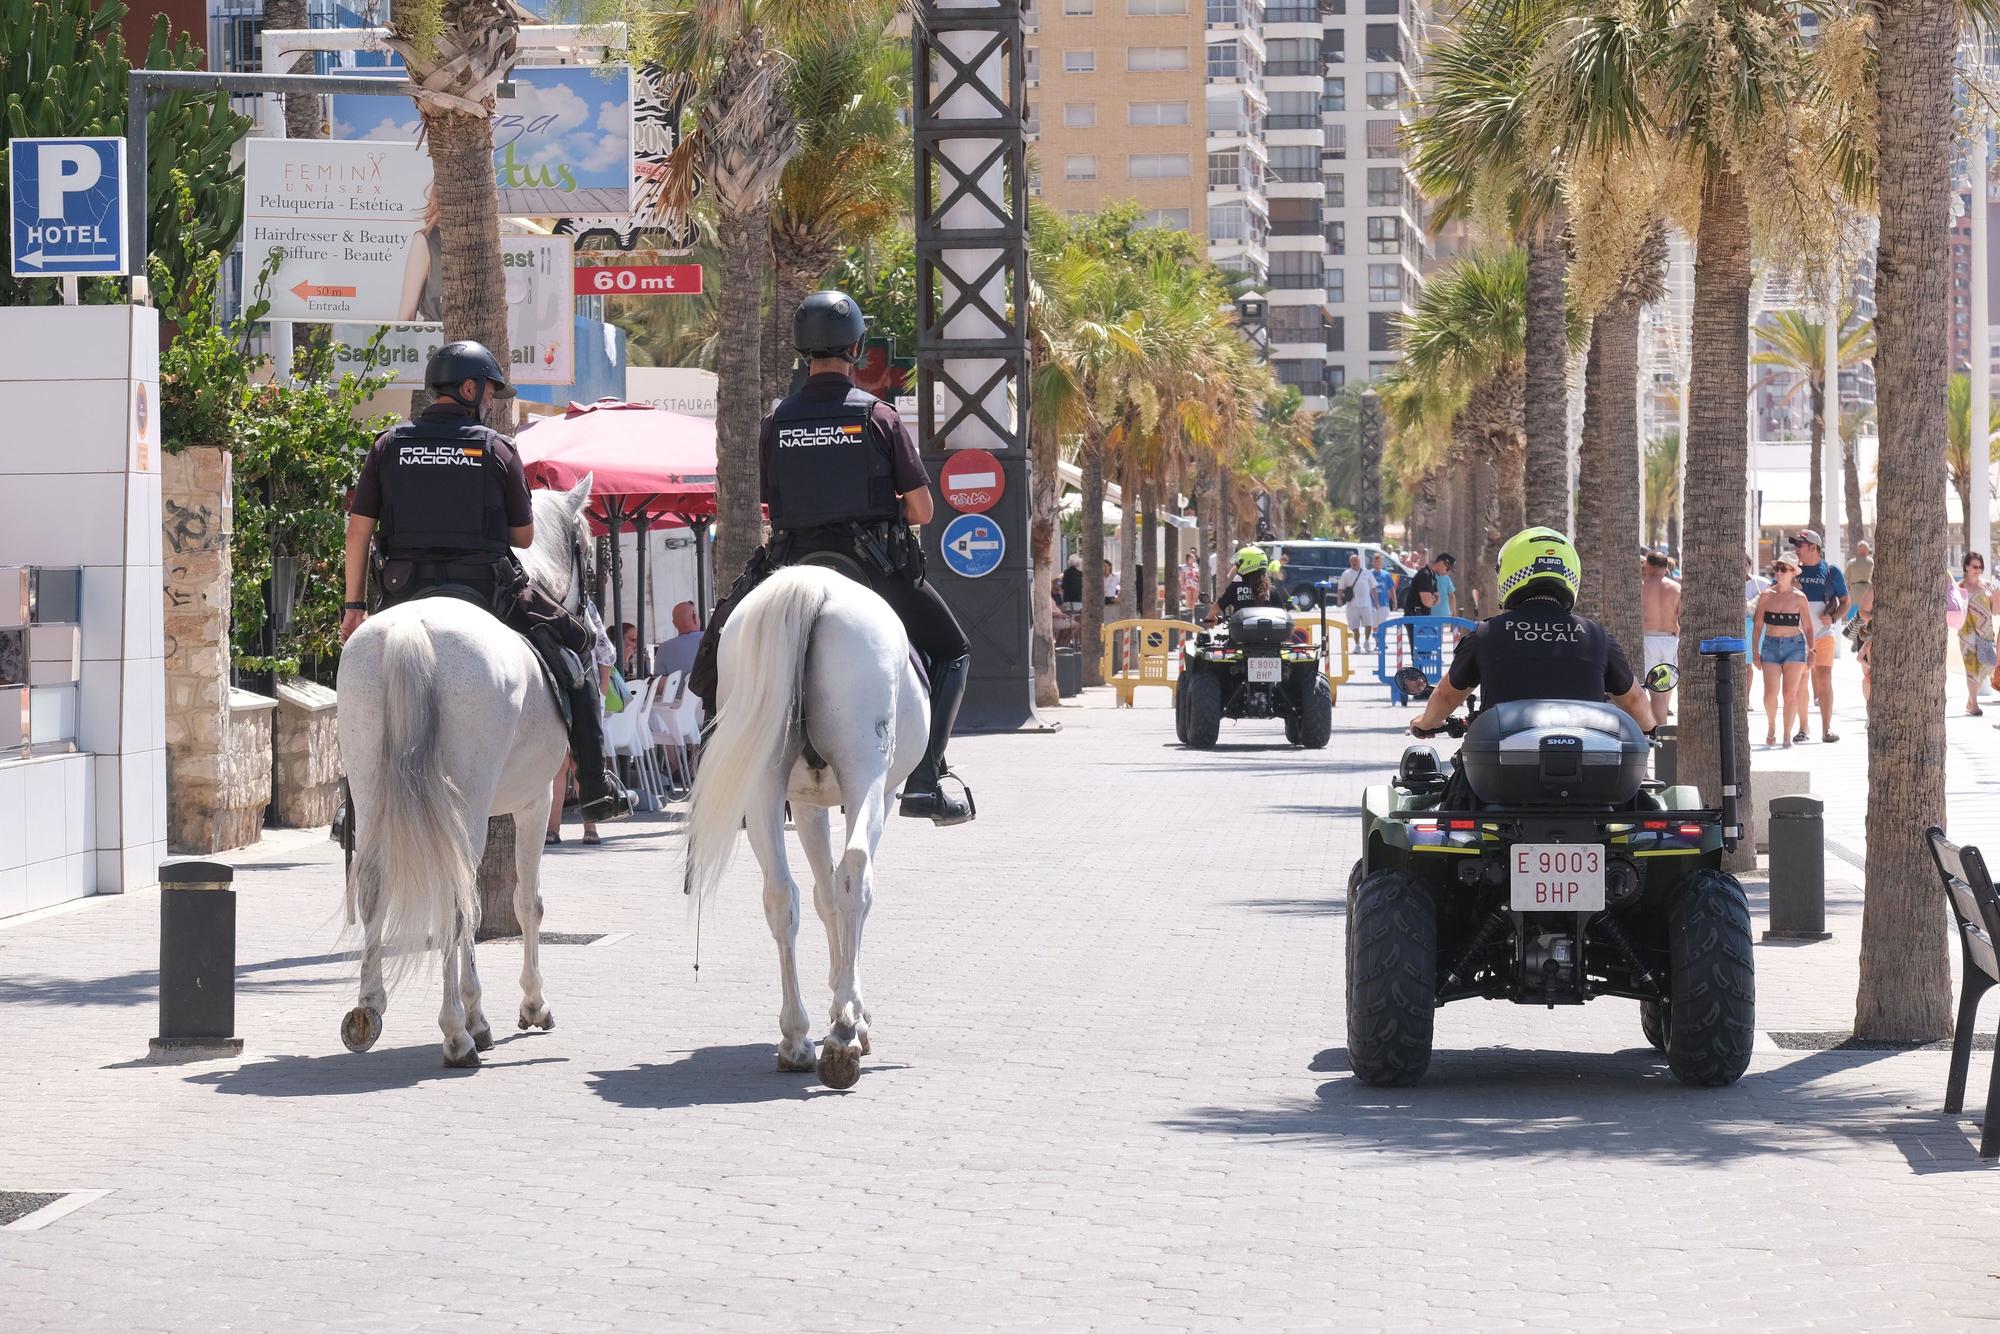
pixel 441 491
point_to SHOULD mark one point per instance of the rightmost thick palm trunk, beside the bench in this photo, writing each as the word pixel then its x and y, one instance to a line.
pixel 1905 979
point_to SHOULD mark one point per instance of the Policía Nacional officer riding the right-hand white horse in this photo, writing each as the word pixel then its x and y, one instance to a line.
pixel 841 475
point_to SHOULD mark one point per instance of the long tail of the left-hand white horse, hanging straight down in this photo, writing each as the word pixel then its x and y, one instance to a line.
pixel 419 859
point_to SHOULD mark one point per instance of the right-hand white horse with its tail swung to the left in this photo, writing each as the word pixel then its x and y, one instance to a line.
pixel 819 655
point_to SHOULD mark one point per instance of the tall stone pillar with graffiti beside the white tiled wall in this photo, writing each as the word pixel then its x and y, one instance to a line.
pixel 197 525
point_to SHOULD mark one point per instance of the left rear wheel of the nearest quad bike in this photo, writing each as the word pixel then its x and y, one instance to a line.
pixel 1393 979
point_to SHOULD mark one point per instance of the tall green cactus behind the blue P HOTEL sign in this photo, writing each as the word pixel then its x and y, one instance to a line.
pixel 63 71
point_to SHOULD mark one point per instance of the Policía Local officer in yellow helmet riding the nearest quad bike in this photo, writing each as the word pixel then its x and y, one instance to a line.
pixel 1537 649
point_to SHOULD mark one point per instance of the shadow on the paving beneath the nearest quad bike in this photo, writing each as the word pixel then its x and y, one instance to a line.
pixel 1509 1103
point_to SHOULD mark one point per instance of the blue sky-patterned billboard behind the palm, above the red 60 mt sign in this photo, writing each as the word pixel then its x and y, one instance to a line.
pixel 563 143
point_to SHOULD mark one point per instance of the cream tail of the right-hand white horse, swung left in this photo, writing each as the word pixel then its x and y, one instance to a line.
pixel 753 733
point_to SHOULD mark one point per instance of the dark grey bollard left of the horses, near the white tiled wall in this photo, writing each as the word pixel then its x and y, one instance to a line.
pixel 197 963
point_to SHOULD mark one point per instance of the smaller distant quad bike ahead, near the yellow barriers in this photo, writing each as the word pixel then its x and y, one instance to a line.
pixel 1253 669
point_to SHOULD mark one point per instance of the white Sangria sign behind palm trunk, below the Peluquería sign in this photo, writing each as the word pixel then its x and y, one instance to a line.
pixel 541 319
